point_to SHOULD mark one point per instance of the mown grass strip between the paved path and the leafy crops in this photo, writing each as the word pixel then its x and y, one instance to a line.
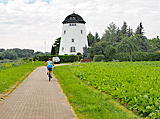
pixel 87 102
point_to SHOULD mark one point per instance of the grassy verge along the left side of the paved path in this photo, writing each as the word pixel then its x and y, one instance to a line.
pixel 14 75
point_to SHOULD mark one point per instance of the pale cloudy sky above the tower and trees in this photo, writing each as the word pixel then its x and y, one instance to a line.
pixel 35 24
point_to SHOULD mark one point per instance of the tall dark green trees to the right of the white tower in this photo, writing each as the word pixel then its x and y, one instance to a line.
pixel 124 40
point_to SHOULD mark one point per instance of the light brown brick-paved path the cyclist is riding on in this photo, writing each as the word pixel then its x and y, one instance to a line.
pixel 37 98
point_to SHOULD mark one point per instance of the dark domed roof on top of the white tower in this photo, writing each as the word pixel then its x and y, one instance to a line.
pixel 73 18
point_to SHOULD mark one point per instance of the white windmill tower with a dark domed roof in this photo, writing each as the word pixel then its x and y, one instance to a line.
pixel 73 38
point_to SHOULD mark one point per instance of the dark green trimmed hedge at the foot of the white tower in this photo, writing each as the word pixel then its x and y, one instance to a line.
pixel 63 58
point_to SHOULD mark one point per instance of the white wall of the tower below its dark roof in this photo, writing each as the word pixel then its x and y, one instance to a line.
pixel 73 32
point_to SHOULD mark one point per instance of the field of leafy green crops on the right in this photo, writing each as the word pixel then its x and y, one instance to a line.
pixel 134 84
